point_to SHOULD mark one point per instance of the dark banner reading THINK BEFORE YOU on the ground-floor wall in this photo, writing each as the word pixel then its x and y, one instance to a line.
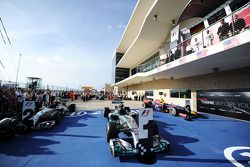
pixel 231 103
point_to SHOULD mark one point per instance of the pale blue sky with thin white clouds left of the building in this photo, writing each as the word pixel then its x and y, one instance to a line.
pixel 67 43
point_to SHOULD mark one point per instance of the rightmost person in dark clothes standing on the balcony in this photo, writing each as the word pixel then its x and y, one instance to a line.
pixel 237 25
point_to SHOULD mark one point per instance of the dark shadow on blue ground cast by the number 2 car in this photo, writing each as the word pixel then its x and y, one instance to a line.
pixel 30 145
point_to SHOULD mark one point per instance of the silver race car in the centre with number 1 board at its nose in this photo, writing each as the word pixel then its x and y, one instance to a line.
pixel 144 133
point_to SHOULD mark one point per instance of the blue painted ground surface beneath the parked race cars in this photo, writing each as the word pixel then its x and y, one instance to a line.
pixel 81 141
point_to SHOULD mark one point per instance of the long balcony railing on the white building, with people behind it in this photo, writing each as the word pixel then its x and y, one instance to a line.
pixel 233 24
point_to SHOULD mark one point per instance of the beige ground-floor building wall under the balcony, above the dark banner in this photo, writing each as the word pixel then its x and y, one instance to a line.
pixel 234 79
